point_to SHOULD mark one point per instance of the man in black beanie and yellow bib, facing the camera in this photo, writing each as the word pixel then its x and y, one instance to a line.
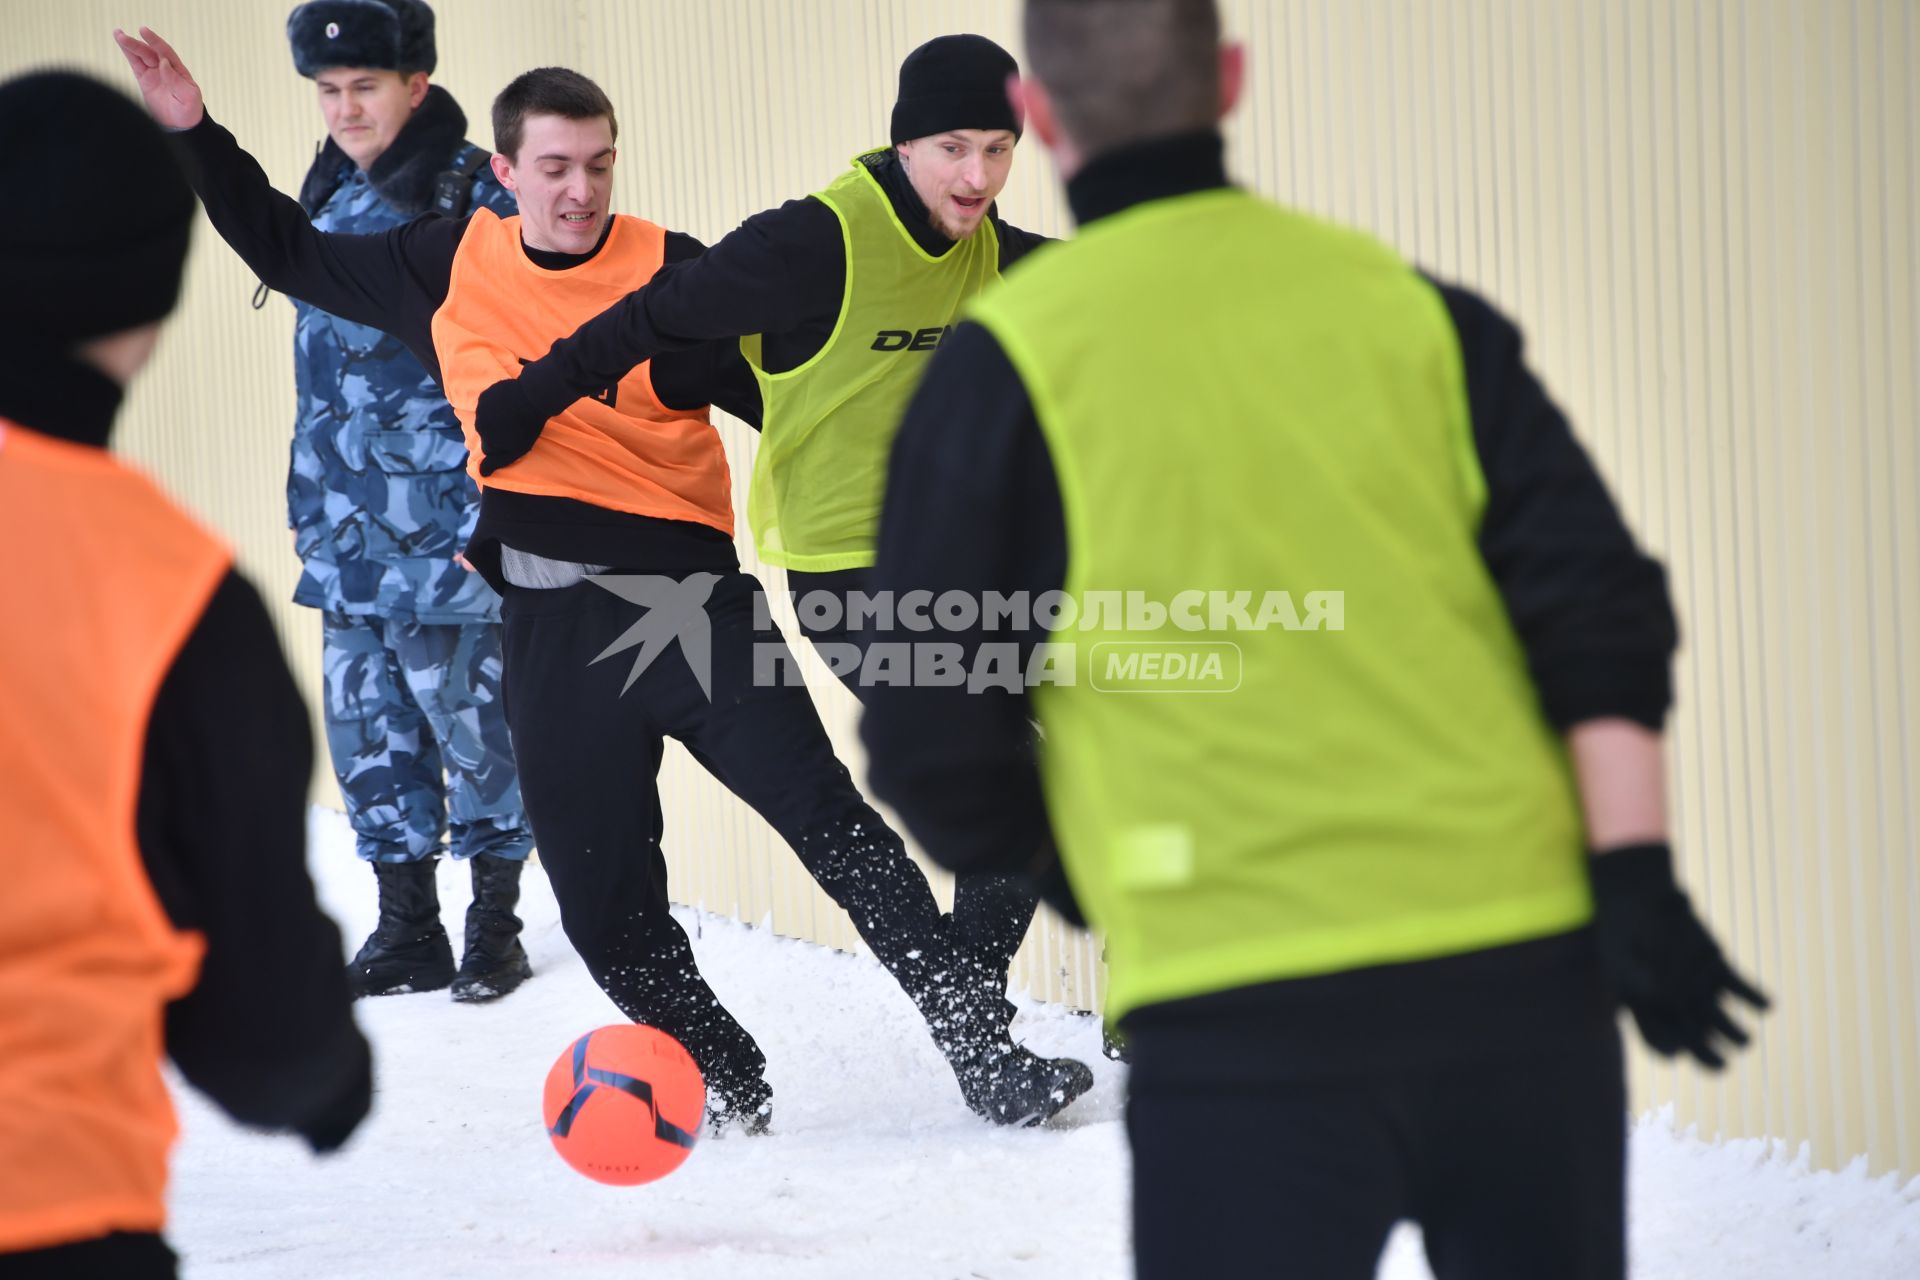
pixel 838 302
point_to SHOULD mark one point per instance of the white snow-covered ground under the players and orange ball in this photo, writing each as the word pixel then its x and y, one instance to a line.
pixel 875 1172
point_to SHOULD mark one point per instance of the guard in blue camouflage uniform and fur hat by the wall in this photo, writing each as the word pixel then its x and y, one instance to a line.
pixel 381 506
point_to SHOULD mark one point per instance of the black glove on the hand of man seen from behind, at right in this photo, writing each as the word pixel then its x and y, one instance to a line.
pixel 1660 960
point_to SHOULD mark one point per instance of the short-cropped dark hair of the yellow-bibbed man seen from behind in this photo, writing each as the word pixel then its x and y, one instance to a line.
pixel 1126 70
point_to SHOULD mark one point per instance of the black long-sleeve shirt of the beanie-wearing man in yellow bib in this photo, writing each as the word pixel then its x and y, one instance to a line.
pixel 782 273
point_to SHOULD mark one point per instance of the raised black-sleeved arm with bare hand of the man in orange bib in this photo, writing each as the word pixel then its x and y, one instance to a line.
pixel 366 279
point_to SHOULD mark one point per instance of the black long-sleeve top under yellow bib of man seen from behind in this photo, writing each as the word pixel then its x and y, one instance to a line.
pixel 974 506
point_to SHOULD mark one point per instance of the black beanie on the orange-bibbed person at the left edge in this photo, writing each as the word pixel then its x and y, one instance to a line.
pixel 103 243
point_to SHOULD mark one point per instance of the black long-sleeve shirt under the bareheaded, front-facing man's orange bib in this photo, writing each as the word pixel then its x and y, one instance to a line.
pixel 396 281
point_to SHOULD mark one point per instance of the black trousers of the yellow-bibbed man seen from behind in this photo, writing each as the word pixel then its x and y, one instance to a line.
pixel 1510 1158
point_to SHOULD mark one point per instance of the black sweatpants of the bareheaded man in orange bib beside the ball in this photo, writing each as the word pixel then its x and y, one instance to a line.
pixel 590 751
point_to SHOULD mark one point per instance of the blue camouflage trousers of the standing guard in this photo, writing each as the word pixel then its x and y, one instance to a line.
pixel 420 738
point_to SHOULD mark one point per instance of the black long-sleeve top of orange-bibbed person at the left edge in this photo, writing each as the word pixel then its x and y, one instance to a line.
pixel 222 822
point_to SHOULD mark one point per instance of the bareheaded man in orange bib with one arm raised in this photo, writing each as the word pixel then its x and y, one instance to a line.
pixel 625 502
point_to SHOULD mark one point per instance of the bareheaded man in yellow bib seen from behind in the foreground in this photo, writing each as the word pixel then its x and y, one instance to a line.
pixel 1360 770
